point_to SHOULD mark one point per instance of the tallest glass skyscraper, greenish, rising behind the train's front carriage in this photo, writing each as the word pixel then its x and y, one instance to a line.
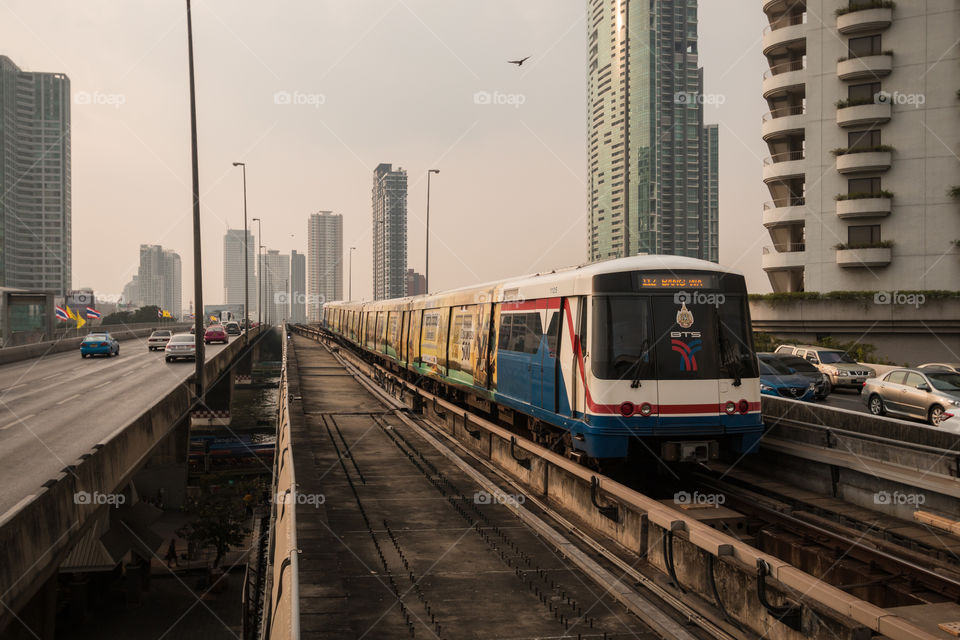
pixel 645 130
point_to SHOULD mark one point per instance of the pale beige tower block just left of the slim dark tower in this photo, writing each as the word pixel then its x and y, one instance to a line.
pixel 324 261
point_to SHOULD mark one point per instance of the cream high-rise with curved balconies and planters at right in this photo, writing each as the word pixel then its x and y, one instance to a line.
pixel 862 132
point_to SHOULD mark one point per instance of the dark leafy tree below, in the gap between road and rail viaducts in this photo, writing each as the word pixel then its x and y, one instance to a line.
pixel 219 516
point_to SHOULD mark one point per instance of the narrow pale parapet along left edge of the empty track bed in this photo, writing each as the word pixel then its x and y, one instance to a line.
pixel 282 618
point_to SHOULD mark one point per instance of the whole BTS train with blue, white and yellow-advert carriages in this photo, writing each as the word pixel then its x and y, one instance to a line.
pixel 652 353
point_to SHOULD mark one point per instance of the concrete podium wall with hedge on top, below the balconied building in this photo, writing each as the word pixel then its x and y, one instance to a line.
pixel 902 333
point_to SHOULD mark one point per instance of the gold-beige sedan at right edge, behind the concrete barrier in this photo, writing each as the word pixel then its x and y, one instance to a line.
pixel 914 393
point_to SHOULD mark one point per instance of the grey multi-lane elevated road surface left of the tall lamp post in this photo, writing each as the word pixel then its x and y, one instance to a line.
pixel 55 408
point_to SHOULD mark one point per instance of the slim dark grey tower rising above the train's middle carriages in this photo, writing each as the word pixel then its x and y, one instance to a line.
pixel 389 232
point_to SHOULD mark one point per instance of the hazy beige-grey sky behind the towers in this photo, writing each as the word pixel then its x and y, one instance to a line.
pixel 369 82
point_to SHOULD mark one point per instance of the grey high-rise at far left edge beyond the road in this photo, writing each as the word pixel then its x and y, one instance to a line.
pixel 35 214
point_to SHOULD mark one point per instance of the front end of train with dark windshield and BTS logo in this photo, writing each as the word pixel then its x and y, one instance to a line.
pixel 671 368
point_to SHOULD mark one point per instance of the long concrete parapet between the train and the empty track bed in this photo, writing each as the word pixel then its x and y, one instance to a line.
pixel 549 471
